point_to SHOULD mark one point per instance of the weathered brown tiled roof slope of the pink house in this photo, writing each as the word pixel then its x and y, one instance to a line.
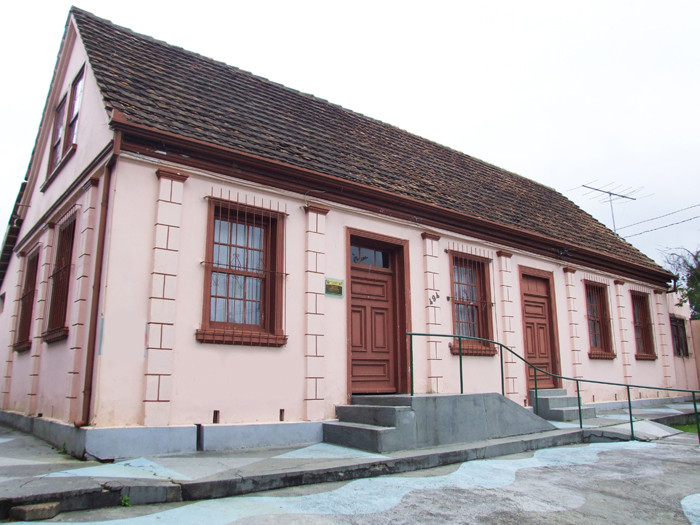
pixel 170 89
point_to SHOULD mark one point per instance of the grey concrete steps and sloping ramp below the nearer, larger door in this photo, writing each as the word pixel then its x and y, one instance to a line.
pixel 387 423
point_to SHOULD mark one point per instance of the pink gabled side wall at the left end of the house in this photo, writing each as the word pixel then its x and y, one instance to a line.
pixel 48 378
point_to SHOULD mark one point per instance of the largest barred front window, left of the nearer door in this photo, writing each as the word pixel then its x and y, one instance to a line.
pixel 243 296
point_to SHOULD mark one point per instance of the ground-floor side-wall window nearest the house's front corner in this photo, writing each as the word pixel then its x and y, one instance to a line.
pixel 59 283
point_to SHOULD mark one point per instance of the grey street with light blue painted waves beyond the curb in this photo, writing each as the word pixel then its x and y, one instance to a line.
pixel 627 482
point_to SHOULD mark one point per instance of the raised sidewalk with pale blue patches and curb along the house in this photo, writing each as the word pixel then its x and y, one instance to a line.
pixel 38 481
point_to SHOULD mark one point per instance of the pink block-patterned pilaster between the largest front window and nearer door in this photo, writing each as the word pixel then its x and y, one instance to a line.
pixel 315 344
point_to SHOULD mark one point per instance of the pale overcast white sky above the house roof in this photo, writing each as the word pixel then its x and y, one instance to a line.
pixel 604 93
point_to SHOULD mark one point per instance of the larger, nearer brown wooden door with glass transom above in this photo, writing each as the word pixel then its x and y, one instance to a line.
pixel 373 328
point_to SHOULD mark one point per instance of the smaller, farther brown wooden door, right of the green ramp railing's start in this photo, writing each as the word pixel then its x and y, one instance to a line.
pixel 537 323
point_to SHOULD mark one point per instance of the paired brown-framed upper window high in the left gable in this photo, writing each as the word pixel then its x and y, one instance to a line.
pixel 65 125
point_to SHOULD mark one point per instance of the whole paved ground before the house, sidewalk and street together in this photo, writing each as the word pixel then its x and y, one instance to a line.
pixel 30 471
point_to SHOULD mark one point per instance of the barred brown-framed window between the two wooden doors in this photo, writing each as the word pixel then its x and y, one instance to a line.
pixel 471 304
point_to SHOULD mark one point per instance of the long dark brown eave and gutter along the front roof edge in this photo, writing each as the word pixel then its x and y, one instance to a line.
pixel 245 165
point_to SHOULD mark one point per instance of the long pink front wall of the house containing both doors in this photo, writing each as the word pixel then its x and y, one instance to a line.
pixel 252 384
